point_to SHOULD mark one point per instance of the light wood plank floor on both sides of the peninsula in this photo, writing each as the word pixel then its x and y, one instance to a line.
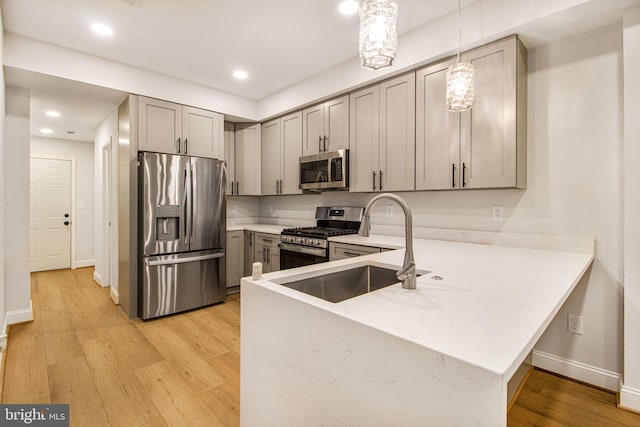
pixel 184 370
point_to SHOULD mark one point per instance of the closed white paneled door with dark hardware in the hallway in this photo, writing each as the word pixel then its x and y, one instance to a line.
pixel 50 214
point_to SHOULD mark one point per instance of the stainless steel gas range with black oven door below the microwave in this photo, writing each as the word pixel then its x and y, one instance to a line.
pixel 310 245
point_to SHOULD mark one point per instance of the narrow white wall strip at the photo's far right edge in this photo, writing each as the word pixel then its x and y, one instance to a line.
pixel 630 394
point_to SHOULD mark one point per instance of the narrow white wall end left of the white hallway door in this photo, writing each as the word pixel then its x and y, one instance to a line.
pixel 16 237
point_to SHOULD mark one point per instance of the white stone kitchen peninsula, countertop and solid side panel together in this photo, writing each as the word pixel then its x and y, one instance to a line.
pixel 442 354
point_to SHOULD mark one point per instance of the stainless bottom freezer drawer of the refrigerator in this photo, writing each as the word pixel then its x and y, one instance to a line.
pixel 179 282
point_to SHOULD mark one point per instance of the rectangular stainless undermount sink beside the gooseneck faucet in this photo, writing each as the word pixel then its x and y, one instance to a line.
pixel 342 285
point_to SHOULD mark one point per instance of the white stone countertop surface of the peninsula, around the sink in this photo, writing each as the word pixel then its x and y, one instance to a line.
pixel 490 308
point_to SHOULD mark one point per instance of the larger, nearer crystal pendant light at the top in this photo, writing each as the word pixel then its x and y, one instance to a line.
pixel 378 38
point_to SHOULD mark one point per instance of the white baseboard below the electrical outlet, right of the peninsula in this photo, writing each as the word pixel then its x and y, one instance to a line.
pixel 578 371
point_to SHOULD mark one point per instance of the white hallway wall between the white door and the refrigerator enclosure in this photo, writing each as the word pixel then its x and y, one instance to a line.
pixel 107 135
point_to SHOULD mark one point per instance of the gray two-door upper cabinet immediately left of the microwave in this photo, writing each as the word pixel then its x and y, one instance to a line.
pixel 281 150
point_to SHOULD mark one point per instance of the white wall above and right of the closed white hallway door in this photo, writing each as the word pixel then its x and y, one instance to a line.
pixel 83 222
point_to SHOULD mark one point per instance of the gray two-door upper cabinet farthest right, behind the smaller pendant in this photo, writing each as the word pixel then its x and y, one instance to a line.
pixel 484 147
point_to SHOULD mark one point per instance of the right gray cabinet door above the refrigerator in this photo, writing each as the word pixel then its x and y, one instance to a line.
pixel 202 132
